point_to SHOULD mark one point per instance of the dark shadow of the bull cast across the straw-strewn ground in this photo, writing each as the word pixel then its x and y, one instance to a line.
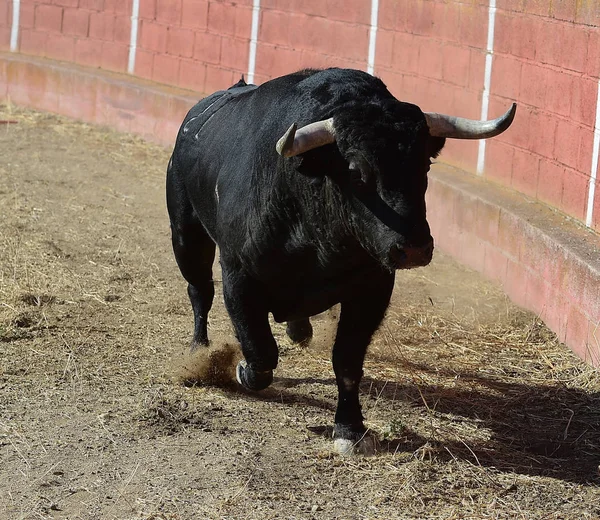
pixel 536 429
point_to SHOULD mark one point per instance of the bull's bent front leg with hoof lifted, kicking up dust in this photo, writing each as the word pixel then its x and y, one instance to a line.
pixel 244 300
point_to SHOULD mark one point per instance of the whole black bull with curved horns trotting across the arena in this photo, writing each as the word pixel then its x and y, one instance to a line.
pixel 305 219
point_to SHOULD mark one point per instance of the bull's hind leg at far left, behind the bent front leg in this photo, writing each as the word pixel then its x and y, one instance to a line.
pixel 194 252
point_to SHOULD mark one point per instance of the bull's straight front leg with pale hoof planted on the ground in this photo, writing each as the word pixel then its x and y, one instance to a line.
pixel 360 317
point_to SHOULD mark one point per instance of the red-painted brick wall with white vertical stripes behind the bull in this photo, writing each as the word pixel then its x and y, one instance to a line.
pixel 430 52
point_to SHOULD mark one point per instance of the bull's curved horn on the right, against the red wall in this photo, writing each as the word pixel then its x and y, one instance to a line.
pixel 441 125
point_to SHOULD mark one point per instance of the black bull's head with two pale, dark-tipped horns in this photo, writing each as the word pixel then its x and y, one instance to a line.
pixel 387 154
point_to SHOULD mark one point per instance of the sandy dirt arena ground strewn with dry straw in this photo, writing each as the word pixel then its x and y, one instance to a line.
pixel 480 412
